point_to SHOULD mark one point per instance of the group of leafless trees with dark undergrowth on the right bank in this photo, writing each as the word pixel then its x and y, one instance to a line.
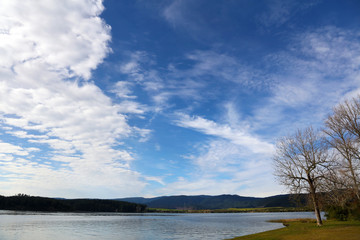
pixel 325 163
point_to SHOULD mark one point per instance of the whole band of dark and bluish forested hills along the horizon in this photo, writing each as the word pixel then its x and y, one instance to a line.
pixel 23 202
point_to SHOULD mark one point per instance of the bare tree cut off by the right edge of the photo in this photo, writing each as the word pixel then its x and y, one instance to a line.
pixel 343 130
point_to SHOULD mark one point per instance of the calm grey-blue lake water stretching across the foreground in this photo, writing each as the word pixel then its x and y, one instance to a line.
pixel 91 226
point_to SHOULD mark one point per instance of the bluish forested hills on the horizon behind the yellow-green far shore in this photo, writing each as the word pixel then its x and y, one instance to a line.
pixel 215 202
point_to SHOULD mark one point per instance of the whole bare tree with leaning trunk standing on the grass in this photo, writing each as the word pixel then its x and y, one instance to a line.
pixel 301 164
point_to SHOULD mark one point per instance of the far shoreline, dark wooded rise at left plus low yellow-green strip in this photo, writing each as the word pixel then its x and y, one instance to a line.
pixel 23 202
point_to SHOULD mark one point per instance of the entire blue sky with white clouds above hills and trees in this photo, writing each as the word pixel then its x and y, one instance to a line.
pixel 127 98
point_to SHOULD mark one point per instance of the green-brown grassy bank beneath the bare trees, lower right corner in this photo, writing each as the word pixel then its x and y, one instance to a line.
pixel 307 230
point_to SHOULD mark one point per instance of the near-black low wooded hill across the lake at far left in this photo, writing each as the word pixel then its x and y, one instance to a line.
pixel 23 202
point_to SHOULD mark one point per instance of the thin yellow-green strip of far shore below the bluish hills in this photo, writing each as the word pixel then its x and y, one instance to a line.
pixel 231 210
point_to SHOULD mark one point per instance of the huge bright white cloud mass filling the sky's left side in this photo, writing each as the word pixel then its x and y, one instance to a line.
pixel 48 50
